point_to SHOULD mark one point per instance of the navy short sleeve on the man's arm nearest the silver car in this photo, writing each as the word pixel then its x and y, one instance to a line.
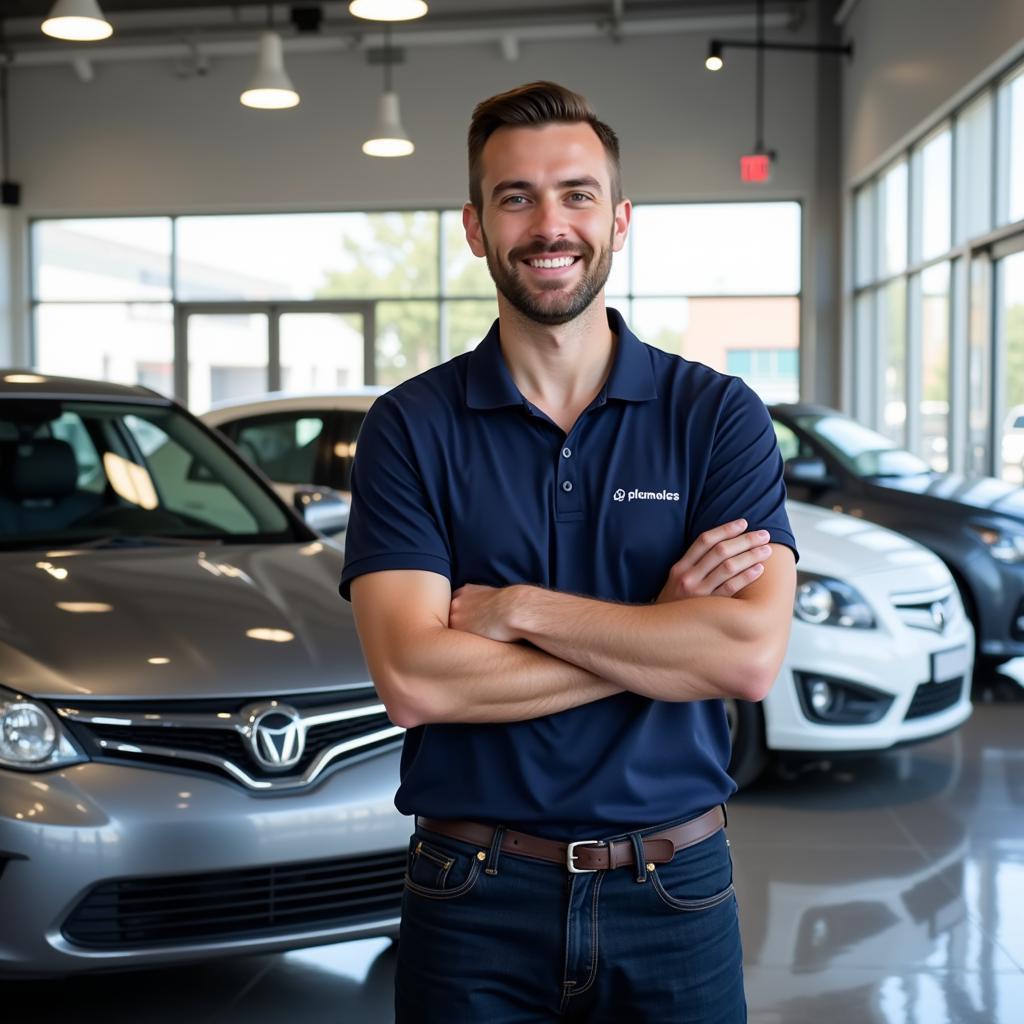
pixel 392 525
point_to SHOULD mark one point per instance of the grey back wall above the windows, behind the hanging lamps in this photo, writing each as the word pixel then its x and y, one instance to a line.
pixel 138 140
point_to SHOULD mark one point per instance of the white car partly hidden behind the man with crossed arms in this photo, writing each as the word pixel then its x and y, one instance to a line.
pixel 881 652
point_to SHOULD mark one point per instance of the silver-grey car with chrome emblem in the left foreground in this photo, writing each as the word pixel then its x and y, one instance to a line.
pixel 194 762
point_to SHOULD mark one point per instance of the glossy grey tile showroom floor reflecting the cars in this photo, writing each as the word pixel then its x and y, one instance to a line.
pixel 879 891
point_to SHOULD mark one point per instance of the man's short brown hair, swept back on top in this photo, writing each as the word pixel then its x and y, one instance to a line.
pixel 533 106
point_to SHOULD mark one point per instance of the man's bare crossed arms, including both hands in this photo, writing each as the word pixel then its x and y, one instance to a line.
pixel 719 628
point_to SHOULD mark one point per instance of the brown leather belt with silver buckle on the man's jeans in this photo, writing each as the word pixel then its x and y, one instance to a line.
pixel 587 855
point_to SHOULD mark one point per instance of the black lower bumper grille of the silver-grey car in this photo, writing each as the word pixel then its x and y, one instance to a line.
pixel 252 903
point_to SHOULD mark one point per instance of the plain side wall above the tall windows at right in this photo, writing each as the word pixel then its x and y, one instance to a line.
pixel 912 57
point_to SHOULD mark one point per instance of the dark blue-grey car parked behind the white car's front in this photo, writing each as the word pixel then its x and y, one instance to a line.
pixel 974 524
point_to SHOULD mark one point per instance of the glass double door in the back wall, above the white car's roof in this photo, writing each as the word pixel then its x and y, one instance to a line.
pixel 230 351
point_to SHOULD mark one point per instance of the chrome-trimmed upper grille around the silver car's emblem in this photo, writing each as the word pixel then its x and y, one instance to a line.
pixel 220 738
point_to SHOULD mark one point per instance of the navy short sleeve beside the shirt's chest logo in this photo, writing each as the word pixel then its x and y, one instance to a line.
pixel 745 472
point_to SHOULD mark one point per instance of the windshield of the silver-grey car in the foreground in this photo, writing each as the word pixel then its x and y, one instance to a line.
pixel 84 472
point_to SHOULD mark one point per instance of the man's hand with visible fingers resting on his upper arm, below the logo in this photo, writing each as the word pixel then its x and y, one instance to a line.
pixel 719 564
